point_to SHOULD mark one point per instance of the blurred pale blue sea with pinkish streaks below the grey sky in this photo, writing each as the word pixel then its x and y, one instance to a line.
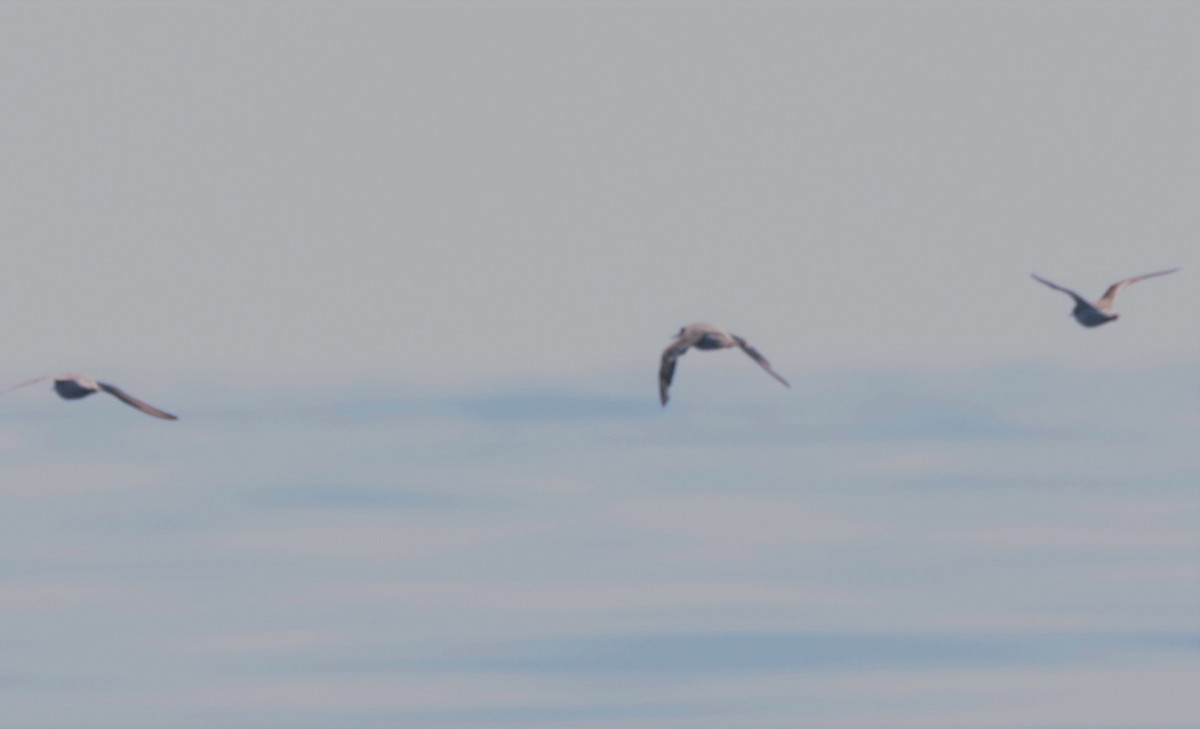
pixel 871 551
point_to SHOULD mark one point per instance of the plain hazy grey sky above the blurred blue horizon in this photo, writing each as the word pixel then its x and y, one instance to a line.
pixel 440 192
